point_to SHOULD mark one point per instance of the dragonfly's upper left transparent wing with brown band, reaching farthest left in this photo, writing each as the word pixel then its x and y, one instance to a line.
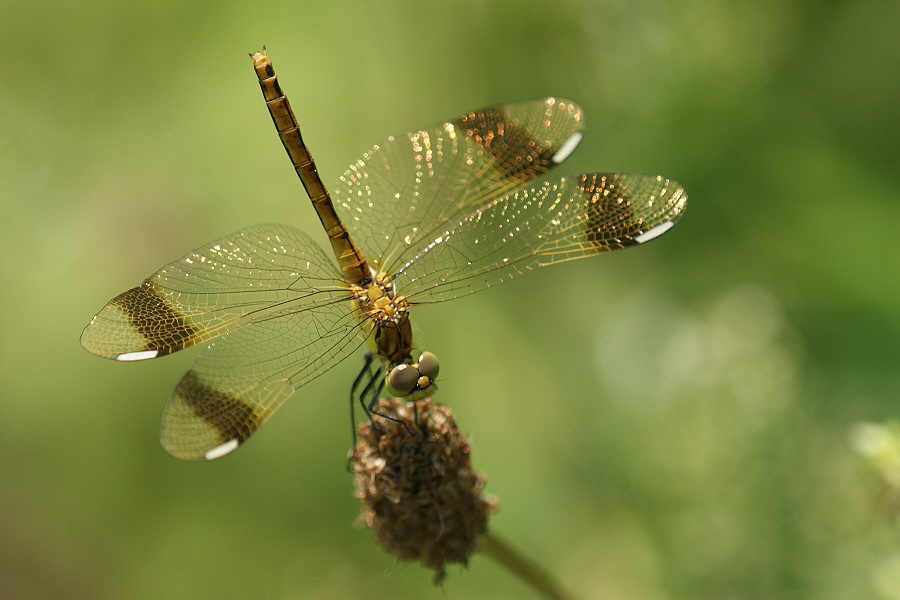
pixel 215 289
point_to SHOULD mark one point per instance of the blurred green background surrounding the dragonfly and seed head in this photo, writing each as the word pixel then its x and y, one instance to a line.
pixel 683 421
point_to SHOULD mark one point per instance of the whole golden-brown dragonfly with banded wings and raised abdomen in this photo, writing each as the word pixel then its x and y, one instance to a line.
pixel 437 213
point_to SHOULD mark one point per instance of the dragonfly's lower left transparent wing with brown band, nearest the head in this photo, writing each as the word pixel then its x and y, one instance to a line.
pixel 244 377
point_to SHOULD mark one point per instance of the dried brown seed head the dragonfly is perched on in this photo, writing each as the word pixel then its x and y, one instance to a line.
pixel 419 494
